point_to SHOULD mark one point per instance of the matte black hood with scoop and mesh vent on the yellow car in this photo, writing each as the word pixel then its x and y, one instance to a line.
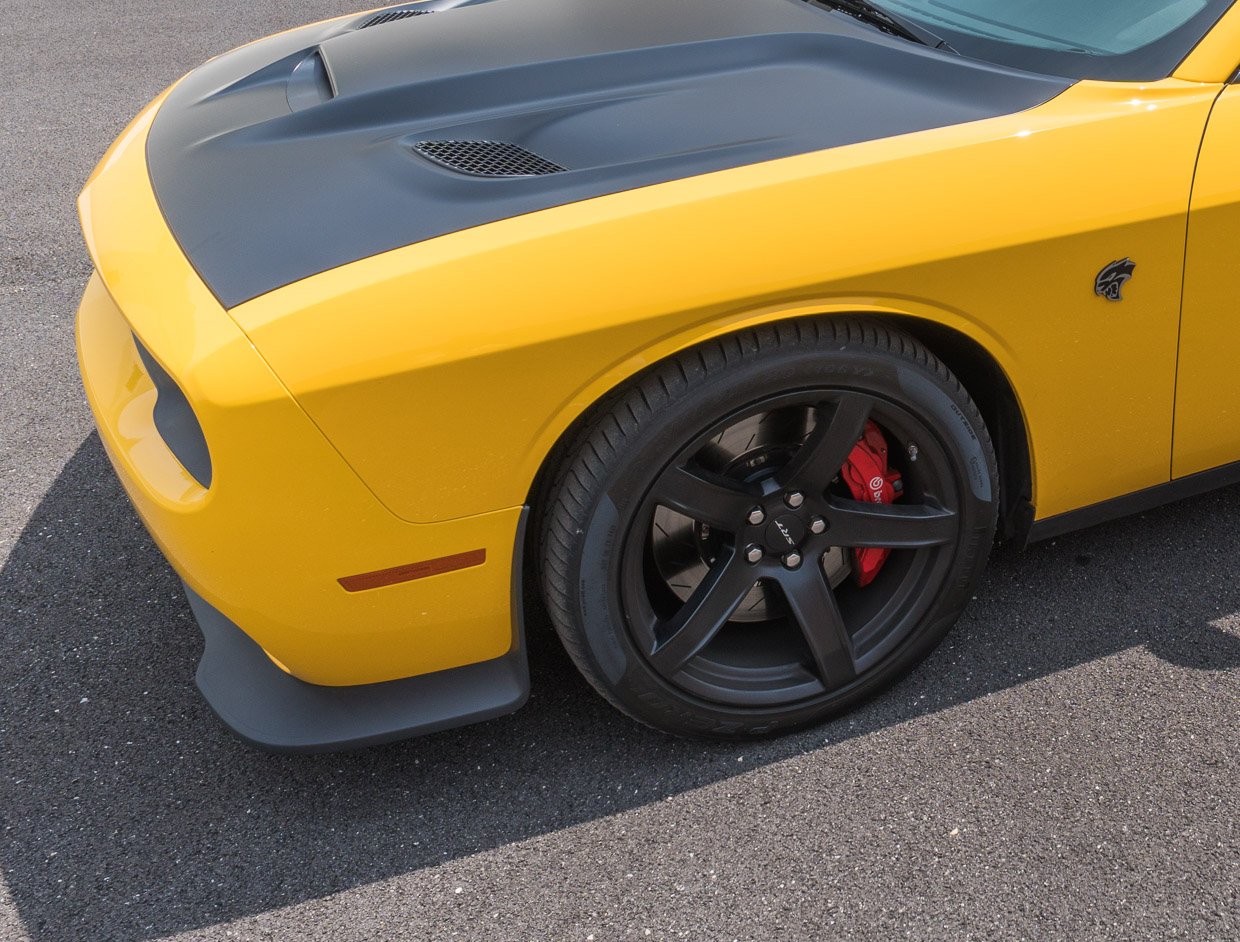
pixel 299 154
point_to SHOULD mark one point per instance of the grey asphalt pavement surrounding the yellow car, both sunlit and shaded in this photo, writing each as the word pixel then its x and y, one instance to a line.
pixel 1065 768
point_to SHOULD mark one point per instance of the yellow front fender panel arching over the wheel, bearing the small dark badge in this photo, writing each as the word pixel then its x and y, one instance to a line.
pixel 445 372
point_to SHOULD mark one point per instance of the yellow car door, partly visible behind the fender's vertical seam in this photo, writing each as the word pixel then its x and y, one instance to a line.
pixel 1207 432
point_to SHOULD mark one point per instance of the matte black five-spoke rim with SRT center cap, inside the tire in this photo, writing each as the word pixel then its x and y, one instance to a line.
pixel 774 527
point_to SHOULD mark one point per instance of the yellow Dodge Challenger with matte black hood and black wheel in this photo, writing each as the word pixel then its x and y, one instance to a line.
pixel 736 330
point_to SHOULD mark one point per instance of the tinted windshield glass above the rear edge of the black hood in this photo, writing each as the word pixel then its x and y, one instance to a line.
pixel 1129 40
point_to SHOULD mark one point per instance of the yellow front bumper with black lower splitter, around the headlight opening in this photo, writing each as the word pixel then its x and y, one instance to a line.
pixel 285 517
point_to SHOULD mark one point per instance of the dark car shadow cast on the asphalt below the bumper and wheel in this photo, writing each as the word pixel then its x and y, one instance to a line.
pixel 130 812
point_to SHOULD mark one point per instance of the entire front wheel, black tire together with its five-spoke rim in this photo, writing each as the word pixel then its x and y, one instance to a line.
pixel 648 529
